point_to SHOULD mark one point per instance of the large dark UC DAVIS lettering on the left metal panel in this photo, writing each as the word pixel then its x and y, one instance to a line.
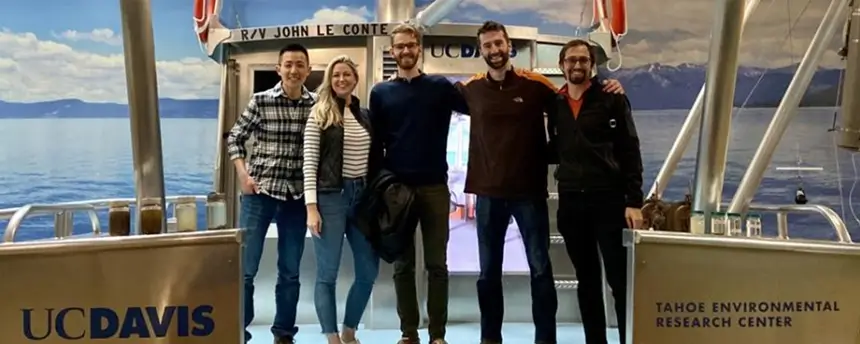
pixel 104 323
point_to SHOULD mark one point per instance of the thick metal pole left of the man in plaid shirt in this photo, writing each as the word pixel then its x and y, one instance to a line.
pixel 142 86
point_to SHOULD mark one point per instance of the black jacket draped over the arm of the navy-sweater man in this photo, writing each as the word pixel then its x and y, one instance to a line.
pixel 386 215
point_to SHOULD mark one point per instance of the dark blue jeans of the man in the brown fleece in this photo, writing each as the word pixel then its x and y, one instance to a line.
pixel 532 218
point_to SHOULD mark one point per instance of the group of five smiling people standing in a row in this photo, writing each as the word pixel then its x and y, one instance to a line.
pixel 314 153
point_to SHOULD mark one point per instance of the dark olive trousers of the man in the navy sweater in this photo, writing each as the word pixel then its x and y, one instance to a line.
pixel 433 204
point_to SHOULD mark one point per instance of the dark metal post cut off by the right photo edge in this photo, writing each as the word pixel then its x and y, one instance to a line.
pixel 850 134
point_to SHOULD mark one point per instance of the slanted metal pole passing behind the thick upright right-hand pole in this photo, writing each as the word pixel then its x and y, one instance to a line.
pixel 694 118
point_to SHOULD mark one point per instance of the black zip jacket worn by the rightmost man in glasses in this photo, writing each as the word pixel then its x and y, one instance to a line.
pixel 599 149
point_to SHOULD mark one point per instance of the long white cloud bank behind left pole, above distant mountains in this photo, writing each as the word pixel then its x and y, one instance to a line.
pixel 38 70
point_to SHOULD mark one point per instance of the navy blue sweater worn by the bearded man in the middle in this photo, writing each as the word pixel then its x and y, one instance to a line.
pixel 411 118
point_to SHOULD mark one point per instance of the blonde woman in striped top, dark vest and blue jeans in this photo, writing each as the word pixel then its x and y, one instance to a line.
pixel 337 145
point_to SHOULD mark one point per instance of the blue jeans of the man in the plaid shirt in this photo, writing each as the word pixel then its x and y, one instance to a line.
pixel 258 211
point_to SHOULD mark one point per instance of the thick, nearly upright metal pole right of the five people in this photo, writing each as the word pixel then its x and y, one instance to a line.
pixel 719 99
